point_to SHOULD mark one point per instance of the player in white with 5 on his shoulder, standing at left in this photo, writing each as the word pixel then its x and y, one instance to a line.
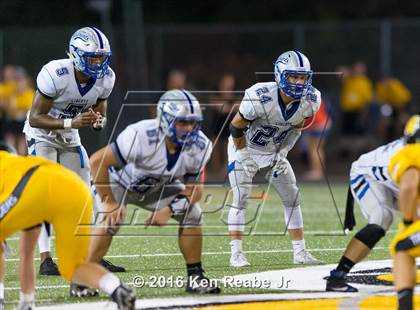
pixel 71 94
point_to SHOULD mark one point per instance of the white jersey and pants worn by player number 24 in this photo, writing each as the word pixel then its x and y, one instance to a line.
pixel 270 125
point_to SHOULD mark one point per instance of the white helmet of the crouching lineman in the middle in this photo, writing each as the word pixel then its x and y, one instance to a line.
pixel 179 105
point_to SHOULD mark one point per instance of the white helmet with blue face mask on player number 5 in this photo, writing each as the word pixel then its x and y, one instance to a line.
pixel 90 51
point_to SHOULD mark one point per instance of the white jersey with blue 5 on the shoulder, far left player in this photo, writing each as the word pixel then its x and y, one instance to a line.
pixel 57 81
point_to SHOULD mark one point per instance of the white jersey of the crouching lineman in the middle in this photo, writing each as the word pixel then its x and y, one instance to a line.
pixel 145 162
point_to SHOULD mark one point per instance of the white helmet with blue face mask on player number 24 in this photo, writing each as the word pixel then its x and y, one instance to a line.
pixel 292 62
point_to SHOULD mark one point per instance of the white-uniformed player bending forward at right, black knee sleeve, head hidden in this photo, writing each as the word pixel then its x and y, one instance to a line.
pixel 376 194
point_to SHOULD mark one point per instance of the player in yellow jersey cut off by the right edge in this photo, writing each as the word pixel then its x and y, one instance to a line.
pixel 404 169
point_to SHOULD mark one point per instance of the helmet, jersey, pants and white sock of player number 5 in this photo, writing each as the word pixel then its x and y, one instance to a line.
pixel 57 81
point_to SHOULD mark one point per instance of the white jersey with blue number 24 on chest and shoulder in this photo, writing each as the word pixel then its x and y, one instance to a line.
pixel 270 120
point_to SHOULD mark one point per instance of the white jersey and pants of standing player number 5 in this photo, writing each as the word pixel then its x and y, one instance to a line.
pixel 57 81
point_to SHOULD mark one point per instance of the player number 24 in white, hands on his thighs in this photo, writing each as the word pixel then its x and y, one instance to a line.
pixel 265 129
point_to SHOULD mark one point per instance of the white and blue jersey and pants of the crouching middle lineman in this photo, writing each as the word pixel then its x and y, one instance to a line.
pixel 149 177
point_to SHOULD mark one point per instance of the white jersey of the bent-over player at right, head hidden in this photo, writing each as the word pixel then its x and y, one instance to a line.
pixel 375 165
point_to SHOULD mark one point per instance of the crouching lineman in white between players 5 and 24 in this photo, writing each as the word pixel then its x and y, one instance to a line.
pixel 147 166
